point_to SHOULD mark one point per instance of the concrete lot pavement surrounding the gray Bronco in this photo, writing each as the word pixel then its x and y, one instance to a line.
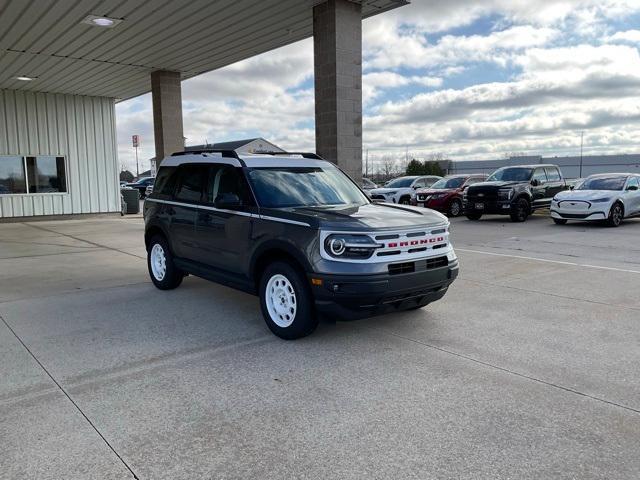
pixel 528 368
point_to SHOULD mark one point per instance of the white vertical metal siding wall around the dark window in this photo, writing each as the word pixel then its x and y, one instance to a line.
pixel 80 128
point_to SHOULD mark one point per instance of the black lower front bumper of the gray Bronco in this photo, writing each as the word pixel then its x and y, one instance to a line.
pixel 350 297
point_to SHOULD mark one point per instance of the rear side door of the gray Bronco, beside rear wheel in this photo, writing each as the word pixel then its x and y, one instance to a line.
pixel 183 208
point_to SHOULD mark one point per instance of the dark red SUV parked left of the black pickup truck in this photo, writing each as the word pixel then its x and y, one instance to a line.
pixel 446 194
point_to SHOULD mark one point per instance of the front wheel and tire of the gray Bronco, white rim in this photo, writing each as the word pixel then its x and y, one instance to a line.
pixel 286 301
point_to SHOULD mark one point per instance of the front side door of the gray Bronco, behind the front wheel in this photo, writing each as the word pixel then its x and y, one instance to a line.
pixel 223 234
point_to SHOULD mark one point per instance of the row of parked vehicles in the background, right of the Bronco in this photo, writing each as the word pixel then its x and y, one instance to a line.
pixel 520 190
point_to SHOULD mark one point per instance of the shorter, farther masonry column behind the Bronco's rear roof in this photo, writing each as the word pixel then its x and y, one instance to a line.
pixel 166 93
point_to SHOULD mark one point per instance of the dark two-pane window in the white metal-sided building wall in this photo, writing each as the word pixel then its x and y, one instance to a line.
pixel 37 174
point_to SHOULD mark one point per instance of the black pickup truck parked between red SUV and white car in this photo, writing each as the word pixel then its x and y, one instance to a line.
pixel 516 191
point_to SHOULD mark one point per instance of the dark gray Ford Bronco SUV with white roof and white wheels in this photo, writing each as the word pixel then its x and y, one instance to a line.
pixel 298 232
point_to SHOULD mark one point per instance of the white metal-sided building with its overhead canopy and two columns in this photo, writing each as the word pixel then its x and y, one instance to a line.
pixel 65 63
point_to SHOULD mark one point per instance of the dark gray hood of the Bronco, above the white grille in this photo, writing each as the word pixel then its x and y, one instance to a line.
pixel 372 216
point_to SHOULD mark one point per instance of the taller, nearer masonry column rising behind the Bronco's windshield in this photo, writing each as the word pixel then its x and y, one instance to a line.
pixel 337 44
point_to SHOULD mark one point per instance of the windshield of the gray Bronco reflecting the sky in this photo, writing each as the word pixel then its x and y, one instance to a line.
pixel 282 187
